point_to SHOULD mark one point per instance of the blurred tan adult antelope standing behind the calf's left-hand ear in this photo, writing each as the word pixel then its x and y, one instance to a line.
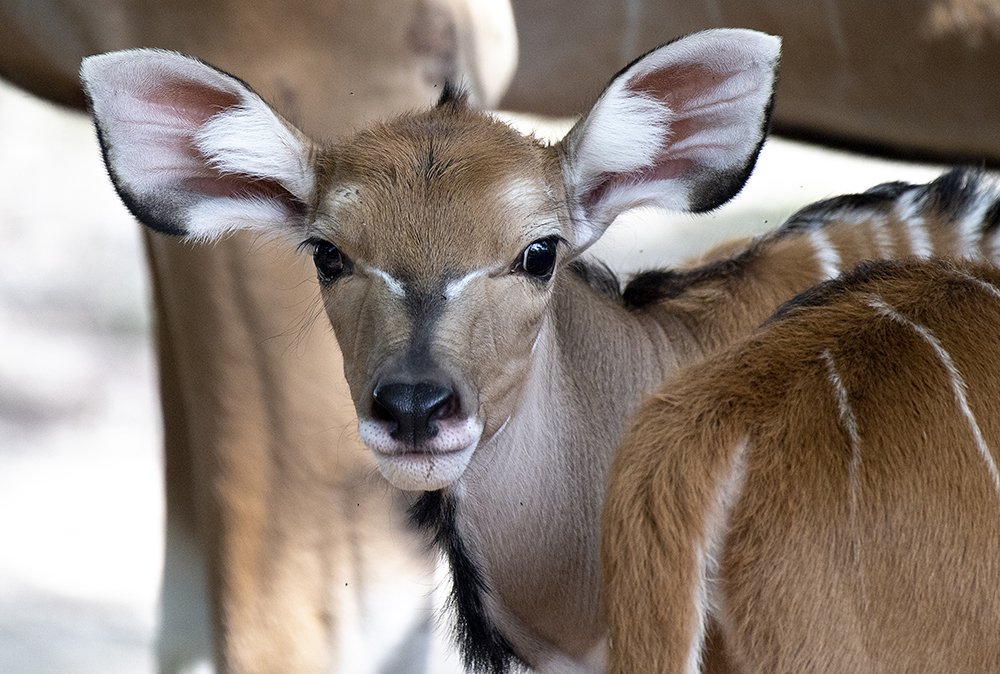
pixel 281 550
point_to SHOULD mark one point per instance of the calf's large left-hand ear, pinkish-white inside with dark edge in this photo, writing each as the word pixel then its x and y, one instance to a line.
pixel 194 151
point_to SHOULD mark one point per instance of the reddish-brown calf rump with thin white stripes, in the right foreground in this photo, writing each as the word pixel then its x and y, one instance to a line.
pixel 823 495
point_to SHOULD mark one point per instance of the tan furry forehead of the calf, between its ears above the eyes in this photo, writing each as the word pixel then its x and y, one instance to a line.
pixel 445 190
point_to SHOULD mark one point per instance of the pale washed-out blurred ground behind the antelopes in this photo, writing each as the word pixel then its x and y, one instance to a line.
pixel 81 512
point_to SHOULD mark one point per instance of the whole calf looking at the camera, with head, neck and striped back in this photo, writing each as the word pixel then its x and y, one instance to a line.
pixel 491 368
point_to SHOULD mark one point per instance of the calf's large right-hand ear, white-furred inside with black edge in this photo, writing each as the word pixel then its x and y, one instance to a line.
pixel 680 128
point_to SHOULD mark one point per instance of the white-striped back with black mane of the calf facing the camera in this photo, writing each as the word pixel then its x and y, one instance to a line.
pixel 736 286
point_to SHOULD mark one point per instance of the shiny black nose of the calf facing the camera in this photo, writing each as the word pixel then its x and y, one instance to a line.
pixel 412 409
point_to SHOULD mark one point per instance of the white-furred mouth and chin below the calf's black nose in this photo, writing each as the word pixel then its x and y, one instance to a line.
pixel 434 465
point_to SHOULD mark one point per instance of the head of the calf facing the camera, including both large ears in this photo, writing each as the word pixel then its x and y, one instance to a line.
pixel 441 238
